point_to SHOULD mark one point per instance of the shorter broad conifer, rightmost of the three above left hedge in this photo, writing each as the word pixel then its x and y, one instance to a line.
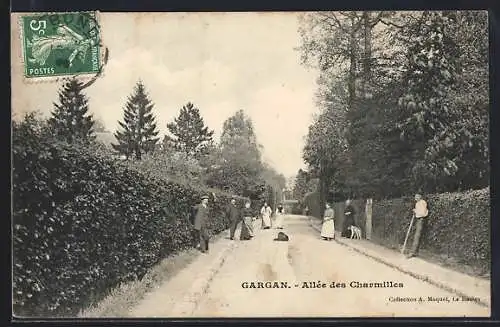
pixel 189 133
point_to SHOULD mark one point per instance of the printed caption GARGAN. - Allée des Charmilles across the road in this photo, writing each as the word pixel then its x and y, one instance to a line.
pixel 320 284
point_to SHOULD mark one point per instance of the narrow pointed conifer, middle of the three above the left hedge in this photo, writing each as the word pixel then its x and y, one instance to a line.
pixel 138 133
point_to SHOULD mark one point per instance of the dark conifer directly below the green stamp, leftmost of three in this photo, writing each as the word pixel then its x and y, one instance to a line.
pixel 70 119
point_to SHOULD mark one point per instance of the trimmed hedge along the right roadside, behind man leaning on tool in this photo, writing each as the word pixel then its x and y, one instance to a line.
pixel 458 225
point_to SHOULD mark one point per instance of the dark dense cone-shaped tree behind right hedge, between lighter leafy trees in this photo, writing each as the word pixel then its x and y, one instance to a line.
pixel 378 159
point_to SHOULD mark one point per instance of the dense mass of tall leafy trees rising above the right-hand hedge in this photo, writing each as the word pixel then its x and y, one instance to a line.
pixel 411 113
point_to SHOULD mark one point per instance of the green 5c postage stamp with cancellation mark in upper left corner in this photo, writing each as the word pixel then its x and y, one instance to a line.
pixel 60 44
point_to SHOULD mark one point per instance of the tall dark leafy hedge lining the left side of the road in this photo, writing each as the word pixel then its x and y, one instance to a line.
pixel 82 223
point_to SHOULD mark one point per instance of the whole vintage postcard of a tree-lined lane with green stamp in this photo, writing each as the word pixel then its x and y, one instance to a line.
pixel 251 164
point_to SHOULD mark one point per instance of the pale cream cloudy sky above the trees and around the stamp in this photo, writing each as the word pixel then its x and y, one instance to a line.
pixel 221 62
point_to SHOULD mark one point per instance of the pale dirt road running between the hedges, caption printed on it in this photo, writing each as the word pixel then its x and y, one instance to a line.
pixel 337 279
